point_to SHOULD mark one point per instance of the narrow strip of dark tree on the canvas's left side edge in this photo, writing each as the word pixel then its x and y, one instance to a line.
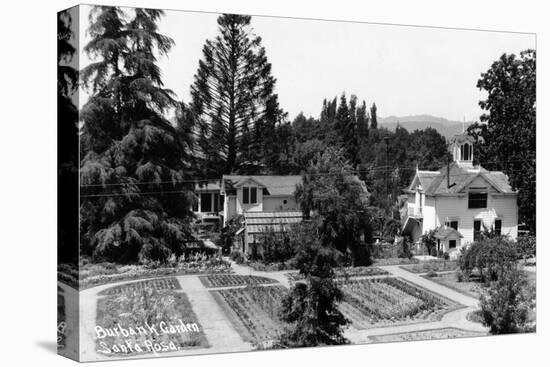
pixel 67 137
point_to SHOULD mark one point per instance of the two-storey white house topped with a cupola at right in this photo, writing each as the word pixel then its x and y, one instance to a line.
pixel 459 201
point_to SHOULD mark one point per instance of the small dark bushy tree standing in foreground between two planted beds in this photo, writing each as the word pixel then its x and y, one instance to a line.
pixel 311 307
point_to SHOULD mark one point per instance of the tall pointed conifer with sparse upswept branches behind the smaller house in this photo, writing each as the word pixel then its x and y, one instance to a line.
pixel 234 101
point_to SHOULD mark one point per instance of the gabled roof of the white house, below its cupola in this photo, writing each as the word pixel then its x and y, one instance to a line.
pixel 435 182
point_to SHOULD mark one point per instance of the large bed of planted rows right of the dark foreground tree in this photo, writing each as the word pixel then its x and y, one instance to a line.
pixel 390 301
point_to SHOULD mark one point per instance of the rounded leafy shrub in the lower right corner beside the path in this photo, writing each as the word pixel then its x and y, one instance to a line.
pixel 506 304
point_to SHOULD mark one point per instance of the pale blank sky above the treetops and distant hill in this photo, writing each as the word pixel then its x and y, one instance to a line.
pixel 405 70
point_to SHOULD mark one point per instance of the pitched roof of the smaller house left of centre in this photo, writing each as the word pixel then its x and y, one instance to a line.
pixel 275 185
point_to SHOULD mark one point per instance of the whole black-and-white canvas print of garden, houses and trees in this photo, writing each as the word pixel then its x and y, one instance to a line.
pixel 236 183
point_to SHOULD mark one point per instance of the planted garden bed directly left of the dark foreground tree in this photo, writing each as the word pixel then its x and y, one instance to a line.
pixel 253 311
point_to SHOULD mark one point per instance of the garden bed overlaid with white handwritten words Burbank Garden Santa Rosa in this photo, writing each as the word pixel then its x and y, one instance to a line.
pixel 146 317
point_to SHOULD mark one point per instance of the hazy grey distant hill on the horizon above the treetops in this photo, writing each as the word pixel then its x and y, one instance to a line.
pixel 445 127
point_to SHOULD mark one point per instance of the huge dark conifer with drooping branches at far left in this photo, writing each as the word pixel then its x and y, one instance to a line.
pixel 135 204
